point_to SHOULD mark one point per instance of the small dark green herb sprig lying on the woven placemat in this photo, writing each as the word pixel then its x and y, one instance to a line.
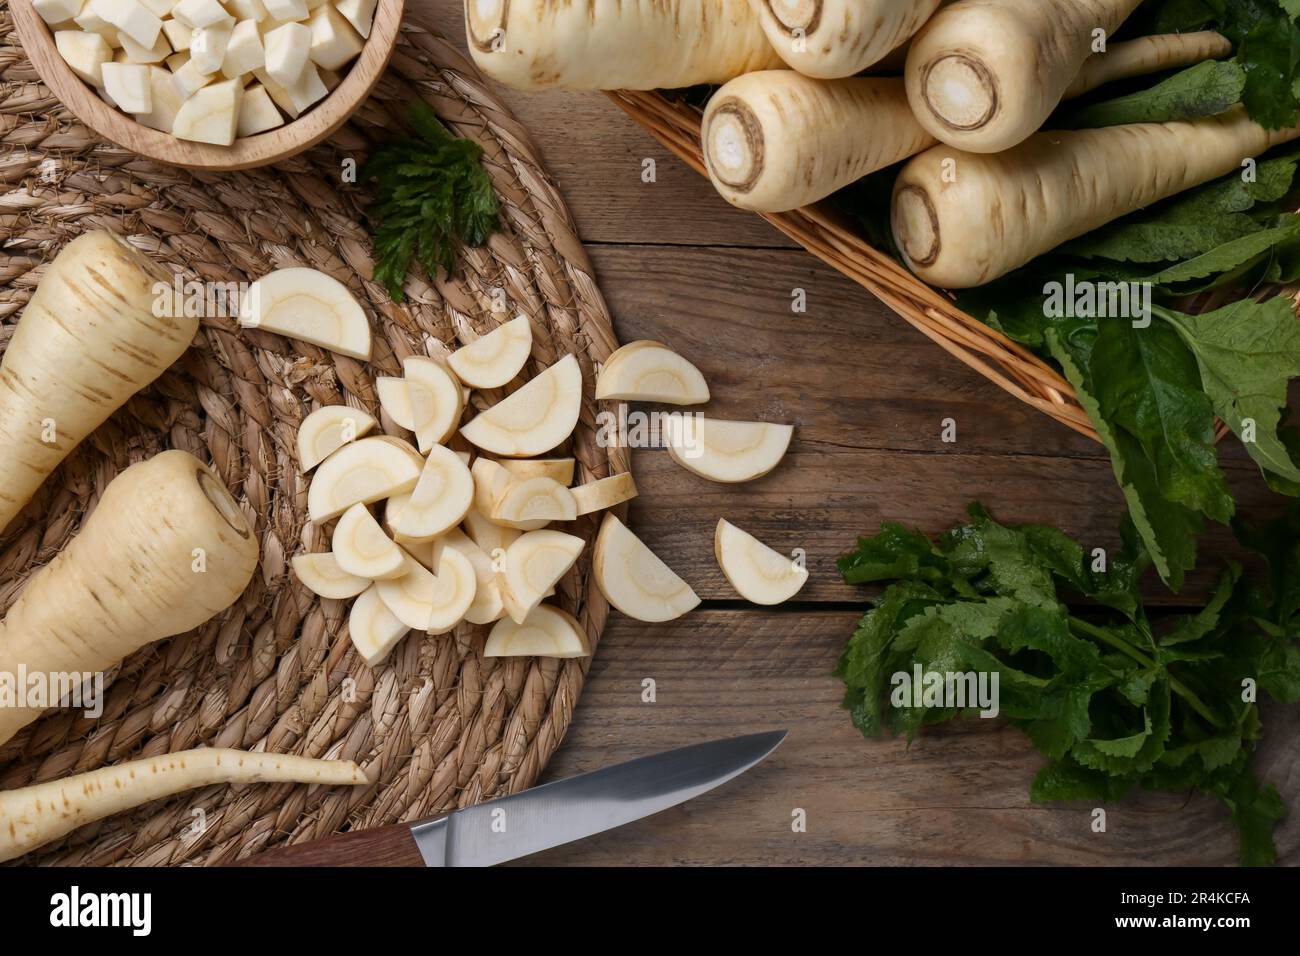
pixel 431 197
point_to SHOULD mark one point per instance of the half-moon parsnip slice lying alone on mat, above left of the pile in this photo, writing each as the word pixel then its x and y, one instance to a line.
pixel 311 306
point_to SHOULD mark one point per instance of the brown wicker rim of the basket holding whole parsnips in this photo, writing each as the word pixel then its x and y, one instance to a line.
pixel 833 240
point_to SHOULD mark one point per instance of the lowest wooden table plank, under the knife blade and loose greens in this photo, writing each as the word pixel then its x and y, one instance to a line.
pixel 959 795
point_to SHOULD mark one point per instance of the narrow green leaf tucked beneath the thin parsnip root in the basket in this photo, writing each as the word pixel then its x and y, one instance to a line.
pixel 1207 89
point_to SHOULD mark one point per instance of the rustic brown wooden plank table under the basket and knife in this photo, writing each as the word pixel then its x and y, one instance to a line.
pixel 868 396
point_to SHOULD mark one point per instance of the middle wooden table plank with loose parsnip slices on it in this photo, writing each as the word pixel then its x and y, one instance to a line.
pixel 869 399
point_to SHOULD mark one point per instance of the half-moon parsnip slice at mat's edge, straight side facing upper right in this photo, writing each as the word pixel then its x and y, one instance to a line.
pixel 635 581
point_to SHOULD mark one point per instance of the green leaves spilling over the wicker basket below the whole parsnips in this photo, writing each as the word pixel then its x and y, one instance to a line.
pixel 1154 392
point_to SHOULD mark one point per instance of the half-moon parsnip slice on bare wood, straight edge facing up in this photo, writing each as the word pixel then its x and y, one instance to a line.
pixel 729 452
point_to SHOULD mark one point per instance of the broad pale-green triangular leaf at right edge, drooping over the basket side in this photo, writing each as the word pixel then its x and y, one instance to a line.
pixel 1247 354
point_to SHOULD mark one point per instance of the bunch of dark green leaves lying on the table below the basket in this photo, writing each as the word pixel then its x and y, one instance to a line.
pixel 1113 699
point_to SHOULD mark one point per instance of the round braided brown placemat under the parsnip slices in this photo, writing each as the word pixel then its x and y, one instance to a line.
pixel 437 726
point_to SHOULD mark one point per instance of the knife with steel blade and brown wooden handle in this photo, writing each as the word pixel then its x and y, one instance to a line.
pixel 539 819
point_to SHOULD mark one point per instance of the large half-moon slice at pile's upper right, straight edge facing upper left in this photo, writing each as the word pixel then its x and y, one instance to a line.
pixel 536 418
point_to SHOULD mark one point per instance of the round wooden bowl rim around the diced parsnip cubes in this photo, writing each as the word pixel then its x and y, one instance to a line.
pixel 276 145
